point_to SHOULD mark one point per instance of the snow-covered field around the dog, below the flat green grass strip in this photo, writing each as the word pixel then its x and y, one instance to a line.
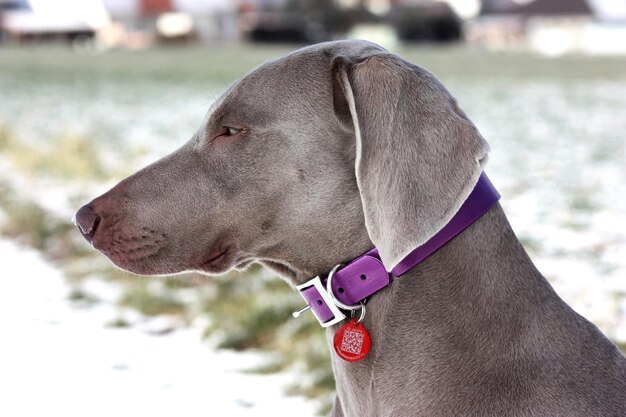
pixel 71 126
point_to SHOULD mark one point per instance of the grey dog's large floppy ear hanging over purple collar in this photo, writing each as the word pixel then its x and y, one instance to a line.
pixel 417 154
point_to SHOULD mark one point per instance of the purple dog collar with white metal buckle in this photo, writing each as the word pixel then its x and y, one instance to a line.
pixel 365 275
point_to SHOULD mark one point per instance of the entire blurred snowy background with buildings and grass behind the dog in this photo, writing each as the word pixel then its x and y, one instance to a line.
pixel 91 90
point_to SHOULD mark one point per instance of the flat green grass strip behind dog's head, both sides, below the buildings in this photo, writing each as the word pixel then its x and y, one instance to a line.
pixel 221 64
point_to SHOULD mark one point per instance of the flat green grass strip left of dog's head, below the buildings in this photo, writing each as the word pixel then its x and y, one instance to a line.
pixel 218 64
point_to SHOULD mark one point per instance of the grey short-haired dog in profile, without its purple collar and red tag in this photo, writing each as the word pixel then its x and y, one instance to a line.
pixel 314 158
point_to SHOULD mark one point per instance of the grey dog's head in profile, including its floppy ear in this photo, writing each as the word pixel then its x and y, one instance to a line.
pixel 307 161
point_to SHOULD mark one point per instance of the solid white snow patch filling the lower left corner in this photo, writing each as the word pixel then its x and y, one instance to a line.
pixel 59 360
